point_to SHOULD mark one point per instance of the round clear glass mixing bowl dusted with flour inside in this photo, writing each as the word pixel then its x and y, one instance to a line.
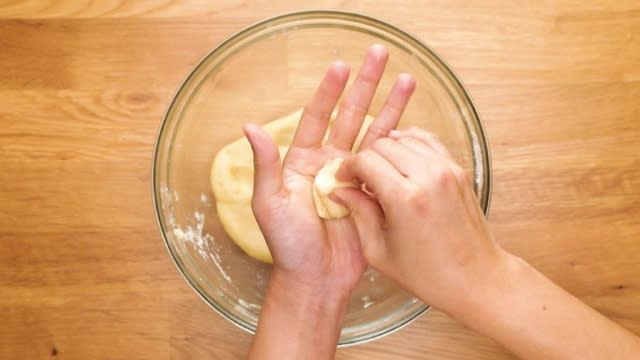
pixel 265 71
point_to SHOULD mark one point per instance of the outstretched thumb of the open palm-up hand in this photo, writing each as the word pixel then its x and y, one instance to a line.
pixel 267 178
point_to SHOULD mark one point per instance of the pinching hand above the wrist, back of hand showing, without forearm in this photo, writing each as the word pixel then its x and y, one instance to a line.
pixel 426 230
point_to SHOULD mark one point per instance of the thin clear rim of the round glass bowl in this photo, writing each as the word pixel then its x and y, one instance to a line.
pixel 355 17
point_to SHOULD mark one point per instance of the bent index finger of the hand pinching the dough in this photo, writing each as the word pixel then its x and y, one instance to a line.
pixel 379 176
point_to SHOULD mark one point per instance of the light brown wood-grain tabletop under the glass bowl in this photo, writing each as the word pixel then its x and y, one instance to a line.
pixel 83 87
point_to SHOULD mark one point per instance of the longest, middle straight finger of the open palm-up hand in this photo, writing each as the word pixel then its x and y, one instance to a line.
pixel 355 106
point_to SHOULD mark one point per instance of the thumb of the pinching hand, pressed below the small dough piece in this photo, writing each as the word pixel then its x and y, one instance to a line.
pixel 369 221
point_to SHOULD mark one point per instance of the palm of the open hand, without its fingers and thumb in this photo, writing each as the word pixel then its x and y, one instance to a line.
pixel 327 247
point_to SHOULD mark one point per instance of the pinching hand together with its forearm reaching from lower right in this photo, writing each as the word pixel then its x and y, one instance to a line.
pixel 429 234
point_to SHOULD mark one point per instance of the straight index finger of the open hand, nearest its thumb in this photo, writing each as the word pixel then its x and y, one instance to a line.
pixel 315 118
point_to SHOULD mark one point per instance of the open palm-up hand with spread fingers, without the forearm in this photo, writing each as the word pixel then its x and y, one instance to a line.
pixel 302 243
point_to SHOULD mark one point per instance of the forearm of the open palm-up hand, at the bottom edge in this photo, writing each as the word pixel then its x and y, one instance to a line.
pixel 298 322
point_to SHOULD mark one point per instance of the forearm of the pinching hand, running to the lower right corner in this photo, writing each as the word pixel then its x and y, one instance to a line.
pixel 536 319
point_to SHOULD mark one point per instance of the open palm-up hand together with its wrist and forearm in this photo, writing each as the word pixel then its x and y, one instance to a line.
pixel 316 262
